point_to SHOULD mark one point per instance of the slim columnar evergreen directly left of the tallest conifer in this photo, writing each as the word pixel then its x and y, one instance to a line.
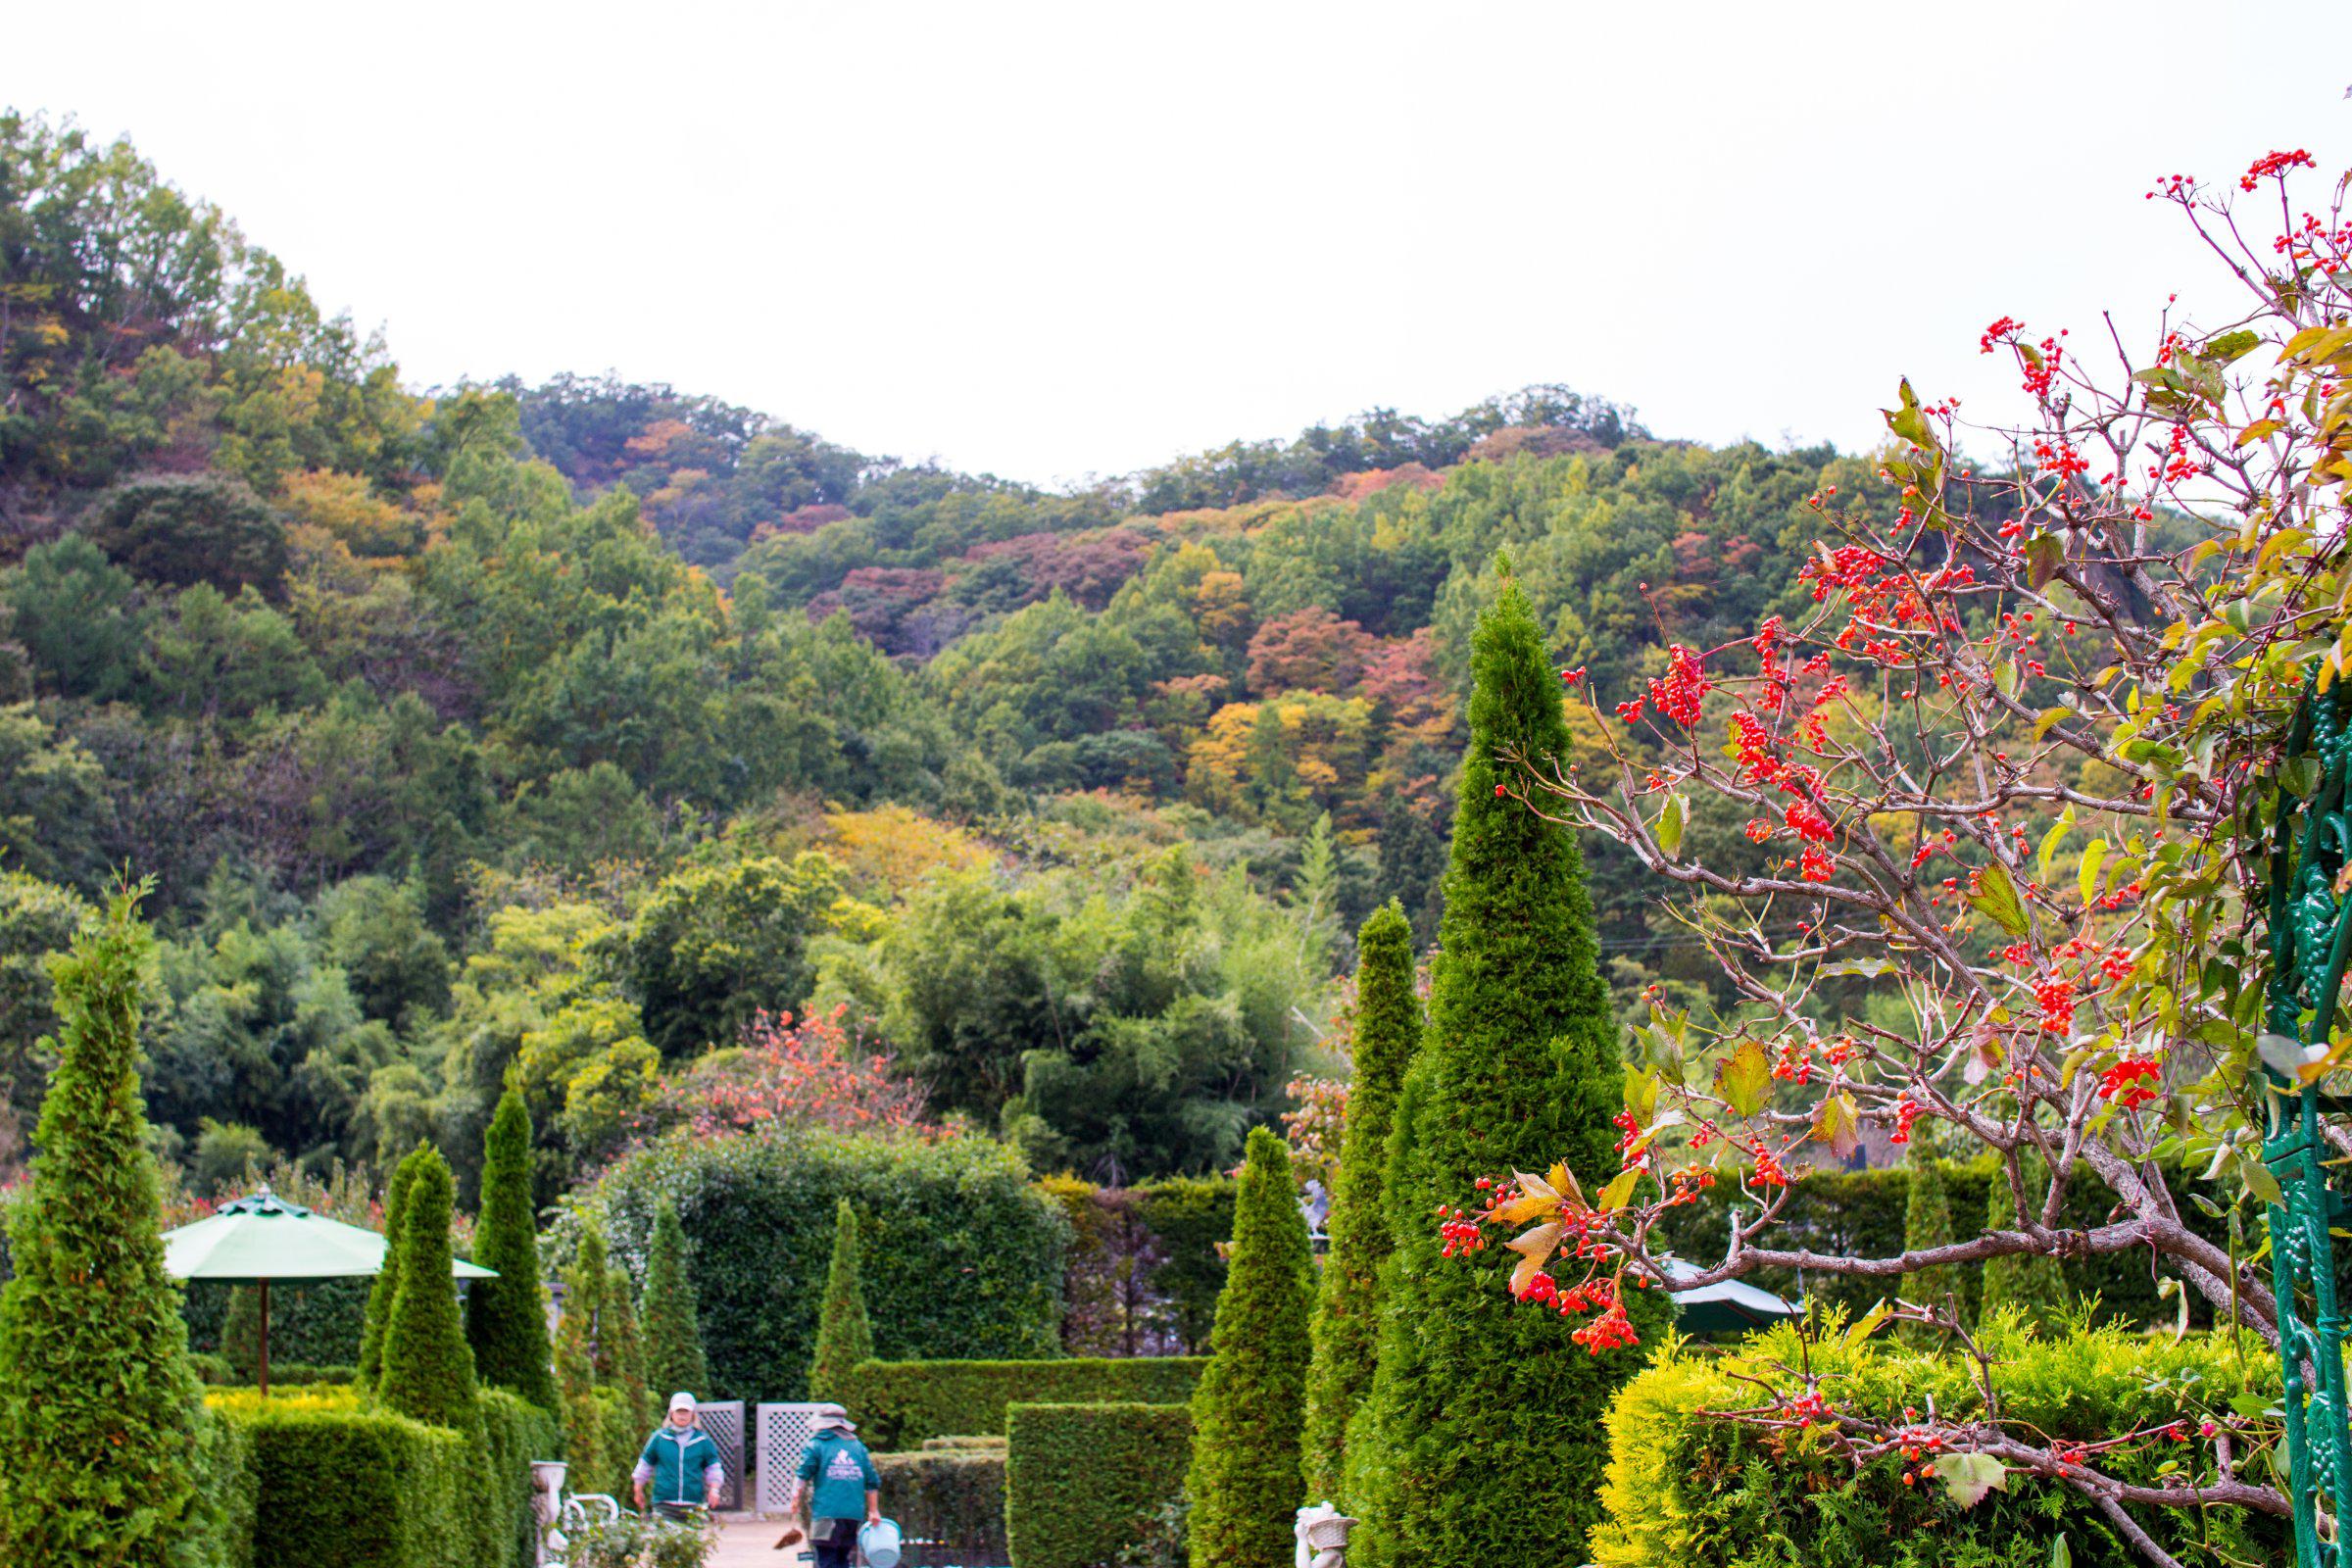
pixel 1347 1315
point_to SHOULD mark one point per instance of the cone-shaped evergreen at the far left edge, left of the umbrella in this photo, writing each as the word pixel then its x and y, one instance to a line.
pixel 100 1407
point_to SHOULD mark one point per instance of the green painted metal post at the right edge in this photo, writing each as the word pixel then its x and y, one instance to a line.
pixel 2311 937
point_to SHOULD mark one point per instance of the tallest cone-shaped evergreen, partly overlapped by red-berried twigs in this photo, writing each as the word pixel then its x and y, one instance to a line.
pixel 1483 1440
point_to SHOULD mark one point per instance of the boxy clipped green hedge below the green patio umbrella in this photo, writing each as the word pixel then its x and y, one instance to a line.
pixel 323 1482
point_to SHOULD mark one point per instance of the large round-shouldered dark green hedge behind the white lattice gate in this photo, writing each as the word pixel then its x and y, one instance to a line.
pixel 961 1254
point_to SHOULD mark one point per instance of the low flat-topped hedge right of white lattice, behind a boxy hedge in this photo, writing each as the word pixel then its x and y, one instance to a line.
pixel 904 1405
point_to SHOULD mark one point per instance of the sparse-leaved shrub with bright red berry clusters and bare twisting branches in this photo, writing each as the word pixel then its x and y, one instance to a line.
pixel 2010 775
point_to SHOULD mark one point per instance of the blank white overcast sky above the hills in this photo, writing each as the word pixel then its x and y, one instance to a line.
pixel 1064 241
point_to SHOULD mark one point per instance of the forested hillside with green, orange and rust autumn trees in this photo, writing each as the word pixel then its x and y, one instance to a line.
pixel 559 735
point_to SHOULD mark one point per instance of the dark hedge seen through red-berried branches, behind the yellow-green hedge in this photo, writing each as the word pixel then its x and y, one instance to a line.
pixel 1859 1214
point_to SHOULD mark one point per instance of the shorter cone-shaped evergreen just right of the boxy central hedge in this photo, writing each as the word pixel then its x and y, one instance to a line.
pixel 1250 1407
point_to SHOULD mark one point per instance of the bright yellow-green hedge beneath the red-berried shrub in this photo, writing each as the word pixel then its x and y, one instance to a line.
pixel 1709 1494
